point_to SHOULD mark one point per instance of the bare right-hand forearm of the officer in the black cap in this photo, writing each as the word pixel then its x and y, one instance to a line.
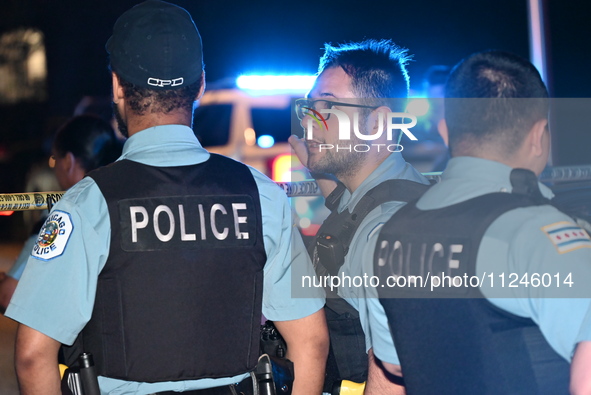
pixel 307 347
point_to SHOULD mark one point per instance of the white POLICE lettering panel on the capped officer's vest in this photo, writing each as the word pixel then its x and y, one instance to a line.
pixel 186 221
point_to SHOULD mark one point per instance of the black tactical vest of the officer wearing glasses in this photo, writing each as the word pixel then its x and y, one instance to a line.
pixel 347 358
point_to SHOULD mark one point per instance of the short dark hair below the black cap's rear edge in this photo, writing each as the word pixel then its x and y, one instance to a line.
pixel 142 100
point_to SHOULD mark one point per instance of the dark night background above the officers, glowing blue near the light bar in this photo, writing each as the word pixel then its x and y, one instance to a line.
pixel 288 37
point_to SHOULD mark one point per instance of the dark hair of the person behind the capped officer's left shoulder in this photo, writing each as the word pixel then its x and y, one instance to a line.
pixel 90 139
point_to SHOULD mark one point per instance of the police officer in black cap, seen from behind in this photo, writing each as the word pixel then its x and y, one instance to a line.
pixel 164 261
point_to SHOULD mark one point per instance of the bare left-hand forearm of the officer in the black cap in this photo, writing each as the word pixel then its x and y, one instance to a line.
pixel 36 362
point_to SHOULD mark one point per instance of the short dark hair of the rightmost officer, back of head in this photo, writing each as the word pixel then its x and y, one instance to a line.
pixel 515 99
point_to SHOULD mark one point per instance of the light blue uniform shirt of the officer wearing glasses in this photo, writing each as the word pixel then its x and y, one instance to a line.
pixel 357 261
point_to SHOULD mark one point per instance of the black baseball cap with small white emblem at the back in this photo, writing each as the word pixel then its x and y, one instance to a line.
pixel 156 45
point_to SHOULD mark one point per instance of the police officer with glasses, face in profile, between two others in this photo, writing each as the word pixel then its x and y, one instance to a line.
pixel 364 82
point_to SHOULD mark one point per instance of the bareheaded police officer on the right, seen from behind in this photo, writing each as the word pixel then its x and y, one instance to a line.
pixel 517 309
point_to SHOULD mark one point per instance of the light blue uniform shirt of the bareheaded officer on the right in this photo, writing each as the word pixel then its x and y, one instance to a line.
pixel 518 242
